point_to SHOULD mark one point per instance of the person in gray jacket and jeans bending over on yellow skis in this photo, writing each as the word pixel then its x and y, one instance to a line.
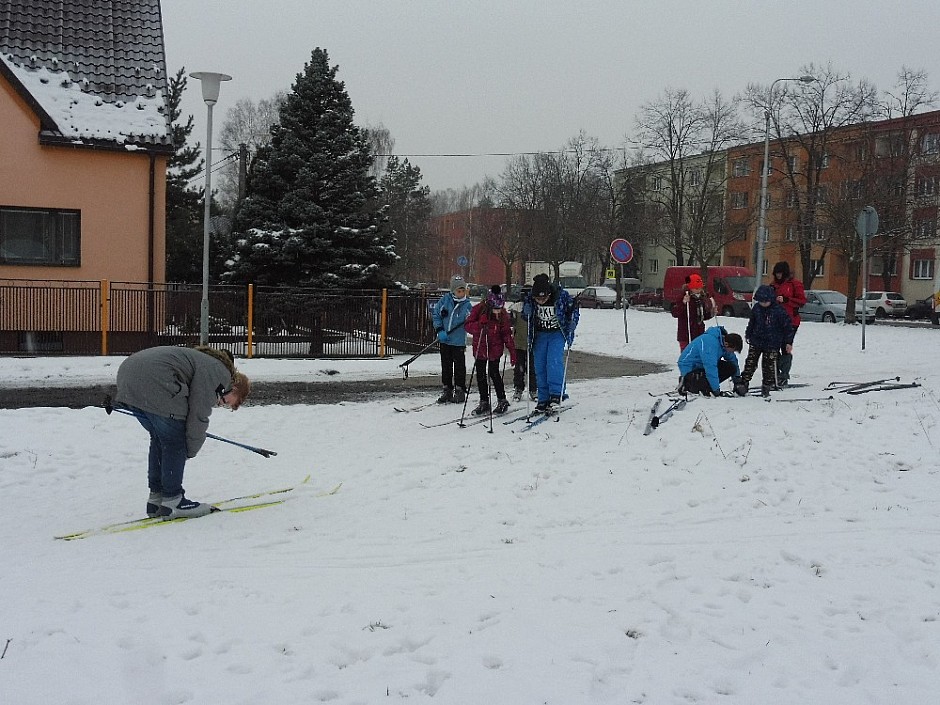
pixel 172 392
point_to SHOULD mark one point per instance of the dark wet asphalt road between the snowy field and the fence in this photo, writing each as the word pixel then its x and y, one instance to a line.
pixel 581 365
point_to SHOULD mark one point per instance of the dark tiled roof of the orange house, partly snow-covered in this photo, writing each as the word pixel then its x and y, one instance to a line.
pixel 94 70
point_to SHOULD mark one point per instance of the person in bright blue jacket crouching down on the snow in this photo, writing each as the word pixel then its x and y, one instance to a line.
pixel 709 360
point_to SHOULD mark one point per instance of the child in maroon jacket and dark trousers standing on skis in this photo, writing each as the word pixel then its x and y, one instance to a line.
pixel 489 325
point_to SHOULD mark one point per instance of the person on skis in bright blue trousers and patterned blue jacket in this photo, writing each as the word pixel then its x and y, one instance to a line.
pixel 552 316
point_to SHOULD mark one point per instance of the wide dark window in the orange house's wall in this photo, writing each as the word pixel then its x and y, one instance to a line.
pixel 38 236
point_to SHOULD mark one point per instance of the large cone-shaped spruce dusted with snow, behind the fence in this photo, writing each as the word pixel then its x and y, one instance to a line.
pixel 310 214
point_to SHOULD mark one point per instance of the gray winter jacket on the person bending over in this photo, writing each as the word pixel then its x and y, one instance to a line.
pixel 178 383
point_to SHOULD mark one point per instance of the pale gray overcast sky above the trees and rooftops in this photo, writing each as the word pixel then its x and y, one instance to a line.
pixel 496 76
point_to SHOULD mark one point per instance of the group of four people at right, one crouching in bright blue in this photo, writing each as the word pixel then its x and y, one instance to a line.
pixel 707 358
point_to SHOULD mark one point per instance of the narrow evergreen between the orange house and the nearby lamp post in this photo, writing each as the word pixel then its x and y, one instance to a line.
pixel 184 209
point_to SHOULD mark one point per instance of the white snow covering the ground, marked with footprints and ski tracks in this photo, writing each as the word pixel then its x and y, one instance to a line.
pixel 745 552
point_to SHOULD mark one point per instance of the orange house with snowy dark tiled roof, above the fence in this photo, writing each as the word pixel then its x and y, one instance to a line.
pixel 84 140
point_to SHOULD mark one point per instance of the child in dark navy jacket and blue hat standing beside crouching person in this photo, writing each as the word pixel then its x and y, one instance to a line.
pixel 769 331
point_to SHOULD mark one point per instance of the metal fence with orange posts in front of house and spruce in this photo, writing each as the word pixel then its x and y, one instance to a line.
pixel 119 318
